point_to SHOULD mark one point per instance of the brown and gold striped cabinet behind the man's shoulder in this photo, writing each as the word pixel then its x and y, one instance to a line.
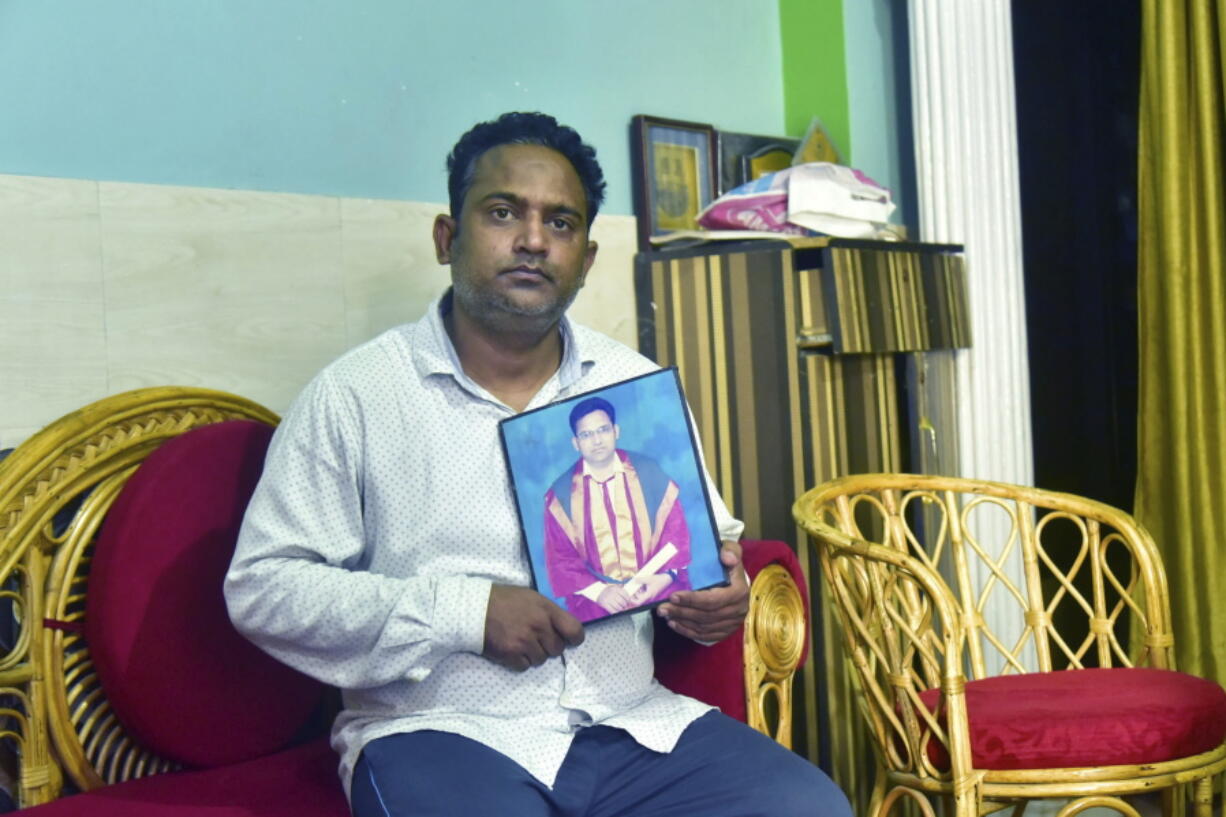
pixel 802 362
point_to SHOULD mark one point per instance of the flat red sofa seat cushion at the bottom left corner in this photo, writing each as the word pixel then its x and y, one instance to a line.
pixel 297 783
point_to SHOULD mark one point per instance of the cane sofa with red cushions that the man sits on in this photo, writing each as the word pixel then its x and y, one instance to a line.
pixel 64 495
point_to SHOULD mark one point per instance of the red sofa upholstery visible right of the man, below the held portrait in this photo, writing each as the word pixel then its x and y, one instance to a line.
pixel 715 674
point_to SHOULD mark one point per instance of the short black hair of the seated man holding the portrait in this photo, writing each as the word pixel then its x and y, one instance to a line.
pixel 524 129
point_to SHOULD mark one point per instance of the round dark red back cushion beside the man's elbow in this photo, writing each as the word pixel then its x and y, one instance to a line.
pixel 176 672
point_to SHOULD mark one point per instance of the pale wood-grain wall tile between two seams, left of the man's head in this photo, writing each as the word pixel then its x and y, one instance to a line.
pixel 221 289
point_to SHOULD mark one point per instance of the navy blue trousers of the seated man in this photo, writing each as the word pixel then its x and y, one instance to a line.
pixel 719 769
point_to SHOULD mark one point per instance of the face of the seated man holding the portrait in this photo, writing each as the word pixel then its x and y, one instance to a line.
pixel 519 253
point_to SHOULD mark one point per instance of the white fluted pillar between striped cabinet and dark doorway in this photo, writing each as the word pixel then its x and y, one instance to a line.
pixel 967 169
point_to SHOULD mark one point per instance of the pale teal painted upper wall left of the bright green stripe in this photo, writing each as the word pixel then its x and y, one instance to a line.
pixel 361 98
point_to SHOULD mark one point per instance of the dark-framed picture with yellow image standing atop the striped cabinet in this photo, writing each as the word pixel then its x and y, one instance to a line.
pixel 674 175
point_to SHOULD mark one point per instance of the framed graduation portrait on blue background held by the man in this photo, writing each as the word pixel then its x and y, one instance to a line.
pixel 611 496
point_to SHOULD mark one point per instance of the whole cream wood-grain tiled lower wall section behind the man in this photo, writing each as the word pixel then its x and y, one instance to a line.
pixel 113 286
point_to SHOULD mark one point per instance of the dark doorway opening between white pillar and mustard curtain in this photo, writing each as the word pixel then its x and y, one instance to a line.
pixel 1078 77
